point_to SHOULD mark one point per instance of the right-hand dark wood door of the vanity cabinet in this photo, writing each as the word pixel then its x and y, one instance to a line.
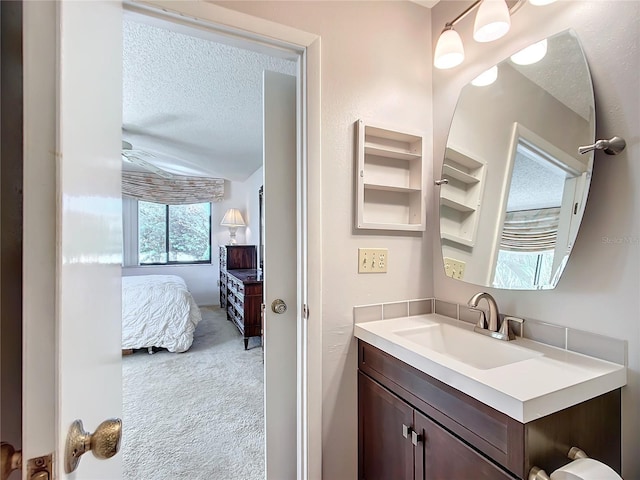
pixel 443 456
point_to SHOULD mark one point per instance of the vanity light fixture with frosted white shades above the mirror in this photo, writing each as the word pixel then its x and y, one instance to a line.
pixel 492 22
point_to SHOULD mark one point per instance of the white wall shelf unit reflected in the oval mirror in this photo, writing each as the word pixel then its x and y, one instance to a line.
pixel 461 198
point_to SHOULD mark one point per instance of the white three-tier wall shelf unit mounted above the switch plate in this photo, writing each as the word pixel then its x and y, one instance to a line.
pixel 390 181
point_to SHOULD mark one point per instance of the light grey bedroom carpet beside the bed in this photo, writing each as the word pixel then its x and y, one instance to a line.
pixel 199 414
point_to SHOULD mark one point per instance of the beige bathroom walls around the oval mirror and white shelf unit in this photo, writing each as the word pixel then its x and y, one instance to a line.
pixel 376 64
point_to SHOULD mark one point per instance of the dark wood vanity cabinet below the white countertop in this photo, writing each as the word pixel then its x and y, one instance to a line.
pixel 453 436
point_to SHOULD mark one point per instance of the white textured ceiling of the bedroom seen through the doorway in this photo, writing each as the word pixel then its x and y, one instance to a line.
pixel 195 104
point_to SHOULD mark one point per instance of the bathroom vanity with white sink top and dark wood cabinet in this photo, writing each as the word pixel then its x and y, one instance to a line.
pixel 414 425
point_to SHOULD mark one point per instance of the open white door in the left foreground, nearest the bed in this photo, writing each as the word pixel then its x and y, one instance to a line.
pixel 82 137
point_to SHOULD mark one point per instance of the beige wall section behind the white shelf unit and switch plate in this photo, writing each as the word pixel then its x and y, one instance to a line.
pixel 376 64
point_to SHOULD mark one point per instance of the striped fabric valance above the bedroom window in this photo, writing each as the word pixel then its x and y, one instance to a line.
pixel 178 190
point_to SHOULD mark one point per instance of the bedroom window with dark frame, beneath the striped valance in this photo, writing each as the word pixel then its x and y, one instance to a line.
pixel 170 234
